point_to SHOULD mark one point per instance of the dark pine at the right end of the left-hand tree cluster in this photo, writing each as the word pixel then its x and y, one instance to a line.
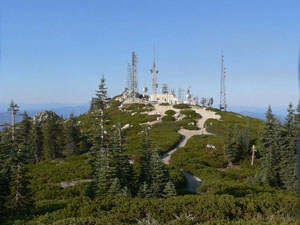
pixel 72 135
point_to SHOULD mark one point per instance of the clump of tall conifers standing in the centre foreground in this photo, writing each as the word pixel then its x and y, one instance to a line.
pixel 111 169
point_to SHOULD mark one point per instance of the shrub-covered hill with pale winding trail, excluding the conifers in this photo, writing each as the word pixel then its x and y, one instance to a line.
pixel 191 142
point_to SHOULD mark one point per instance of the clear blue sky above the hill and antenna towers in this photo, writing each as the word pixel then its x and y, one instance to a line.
pixel 56 50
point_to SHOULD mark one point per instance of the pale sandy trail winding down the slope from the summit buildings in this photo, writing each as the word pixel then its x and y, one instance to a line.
pixel 193 182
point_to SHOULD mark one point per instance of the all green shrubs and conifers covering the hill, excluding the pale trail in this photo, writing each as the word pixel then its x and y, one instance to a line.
pixel 78 170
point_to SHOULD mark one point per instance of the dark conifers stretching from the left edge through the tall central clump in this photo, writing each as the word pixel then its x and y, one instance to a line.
pixel 48 136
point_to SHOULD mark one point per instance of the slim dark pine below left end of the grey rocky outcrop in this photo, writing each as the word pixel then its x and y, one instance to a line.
pixel 36 141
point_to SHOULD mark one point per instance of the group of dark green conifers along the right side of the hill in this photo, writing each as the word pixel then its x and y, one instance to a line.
pixel 276 149
